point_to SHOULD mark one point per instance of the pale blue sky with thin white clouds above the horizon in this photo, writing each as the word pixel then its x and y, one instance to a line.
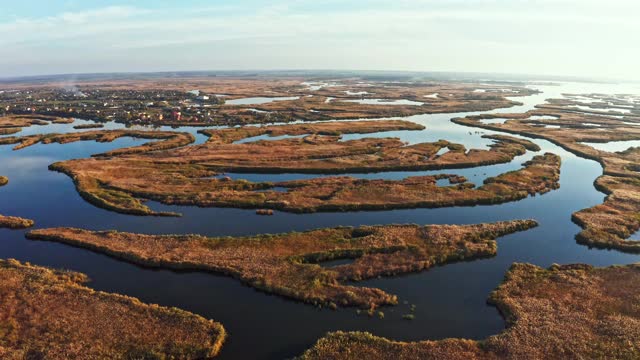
pixel 586 38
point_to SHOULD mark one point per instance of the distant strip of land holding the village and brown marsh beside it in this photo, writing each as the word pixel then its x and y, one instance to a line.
pixel 176 102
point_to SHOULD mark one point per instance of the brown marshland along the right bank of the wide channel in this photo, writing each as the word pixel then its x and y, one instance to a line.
pixel 607 225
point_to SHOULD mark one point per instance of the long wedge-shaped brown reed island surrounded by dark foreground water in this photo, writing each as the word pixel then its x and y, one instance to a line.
pixel 286 264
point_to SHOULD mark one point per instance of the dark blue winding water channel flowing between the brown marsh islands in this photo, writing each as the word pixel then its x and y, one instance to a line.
pixel 450 300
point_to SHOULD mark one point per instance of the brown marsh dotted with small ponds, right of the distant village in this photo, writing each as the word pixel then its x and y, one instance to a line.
pixel 334 103
